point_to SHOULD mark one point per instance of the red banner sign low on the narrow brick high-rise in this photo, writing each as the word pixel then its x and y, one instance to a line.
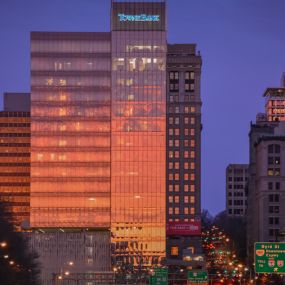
pixel 183 228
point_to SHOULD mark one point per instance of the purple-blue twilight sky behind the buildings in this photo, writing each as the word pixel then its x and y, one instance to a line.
pixel 242 43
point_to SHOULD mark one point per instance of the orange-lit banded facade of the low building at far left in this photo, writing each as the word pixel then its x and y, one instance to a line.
pixel 15 165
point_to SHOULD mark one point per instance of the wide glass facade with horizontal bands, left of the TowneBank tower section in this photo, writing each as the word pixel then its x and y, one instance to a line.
pixel 70 124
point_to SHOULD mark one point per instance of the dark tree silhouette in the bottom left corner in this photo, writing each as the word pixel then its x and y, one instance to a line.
pixel 18 266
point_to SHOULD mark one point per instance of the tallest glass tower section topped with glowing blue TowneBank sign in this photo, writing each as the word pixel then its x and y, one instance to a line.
pixel 138 134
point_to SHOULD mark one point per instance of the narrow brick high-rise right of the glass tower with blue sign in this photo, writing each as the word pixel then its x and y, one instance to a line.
pixel 183 155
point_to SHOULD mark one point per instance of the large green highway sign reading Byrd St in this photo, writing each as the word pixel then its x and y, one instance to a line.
pixel 269 257
